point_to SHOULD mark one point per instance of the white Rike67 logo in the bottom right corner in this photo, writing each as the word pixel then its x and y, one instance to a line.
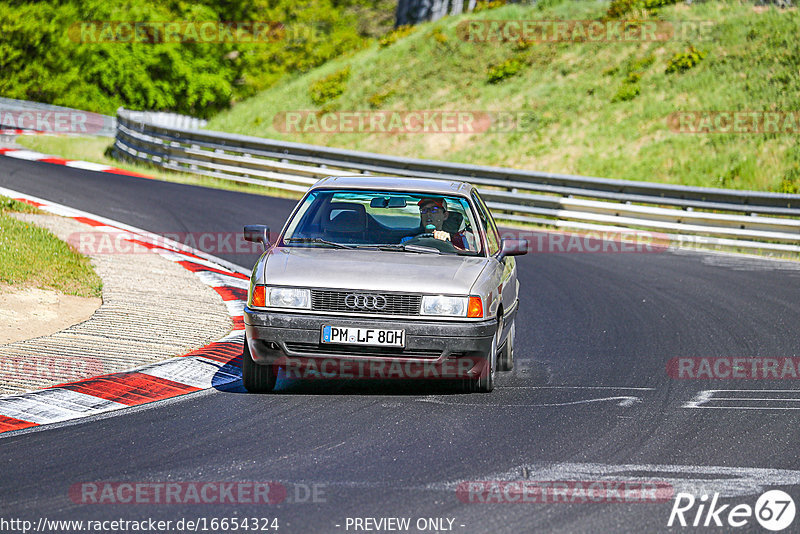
pixel 774 510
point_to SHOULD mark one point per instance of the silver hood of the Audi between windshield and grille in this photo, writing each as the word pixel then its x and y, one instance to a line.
pixel 373 270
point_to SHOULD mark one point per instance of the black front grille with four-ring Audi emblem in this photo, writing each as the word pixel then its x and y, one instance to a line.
pixel 365 302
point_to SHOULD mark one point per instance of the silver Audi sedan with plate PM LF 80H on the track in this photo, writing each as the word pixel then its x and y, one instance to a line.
pixel 383 277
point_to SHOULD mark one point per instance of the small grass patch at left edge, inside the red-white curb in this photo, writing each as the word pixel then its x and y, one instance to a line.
pixel 33 257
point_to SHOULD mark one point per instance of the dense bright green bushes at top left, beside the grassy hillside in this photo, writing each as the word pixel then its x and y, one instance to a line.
pixel 43 59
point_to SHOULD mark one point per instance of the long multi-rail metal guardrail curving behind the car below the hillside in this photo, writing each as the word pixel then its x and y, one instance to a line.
pixel 747 219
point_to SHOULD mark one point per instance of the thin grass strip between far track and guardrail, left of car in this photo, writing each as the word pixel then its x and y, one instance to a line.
pixel 94 149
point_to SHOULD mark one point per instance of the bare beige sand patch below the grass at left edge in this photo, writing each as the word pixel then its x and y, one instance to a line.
pixel 27 313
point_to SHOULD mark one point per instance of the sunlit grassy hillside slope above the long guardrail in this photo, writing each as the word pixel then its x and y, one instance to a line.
pixel 600 108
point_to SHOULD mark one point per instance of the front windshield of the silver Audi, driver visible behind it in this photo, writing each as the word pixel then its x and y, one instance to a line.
pixel 385 220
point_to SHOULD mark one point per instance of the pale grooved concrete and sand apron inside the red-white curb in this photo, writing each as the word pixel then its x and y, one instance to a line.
pixel 152 309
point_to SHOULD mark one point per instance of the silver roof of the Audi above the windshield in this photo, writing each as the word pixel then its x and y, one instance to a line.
pixel 395 183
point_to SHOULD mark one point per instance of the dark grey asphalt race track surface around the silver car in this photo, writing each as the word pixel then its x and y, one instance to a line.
pixel 590 396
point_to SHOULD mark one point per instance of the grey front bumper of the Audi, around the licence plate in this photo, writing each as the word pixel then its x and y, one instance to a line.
pixel 457 349
